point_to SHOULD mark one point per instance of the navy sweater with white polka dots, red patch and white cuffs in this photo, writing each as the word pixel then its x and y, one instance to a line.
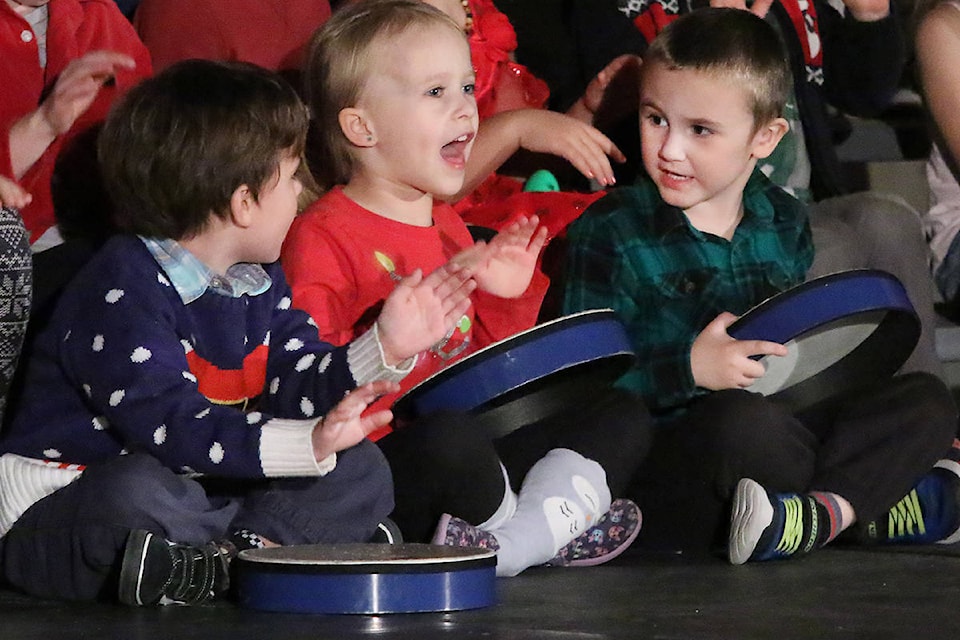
pixel 227 386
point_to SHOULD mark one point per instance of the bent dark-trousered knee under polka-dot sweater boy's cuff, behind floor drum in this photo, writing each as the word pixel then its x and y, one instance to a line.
pixel 343 506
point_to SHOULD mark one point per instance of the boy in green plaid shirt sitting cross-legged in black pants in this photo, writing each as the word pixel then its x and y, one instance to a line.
pixel 703 236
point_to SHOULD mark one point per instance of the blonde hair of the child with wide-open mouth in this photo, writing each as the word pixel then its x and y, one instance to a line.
pixel 338 64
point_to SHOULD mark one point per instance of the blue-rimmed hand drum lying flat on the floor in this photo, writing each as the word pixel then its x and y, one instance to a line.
pixel 366 578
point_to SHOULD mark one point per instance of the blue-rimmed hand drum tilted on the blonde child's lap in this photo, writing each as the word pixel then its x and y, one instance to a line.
pixel 528 376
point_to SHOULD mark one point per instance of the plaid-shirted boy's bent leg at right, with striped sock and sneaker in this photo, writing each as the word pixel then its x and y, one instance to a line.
pixel 875 443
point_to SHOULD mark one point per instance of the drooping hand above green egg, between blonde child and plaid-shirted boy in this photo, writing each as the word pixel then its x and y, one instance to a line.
pixel 579 143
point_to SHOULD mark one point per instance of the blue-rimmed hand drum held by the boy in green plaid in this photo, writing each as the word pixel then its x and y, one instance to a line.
pixel 843 331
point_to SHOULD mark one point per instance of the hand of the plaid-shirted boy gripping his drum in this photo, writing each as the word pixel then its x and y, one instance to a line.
pixel 721 362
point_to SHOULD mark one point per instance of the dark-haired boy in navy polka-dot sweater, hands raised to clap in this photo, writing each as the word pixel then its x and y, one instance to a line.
pixel 178 408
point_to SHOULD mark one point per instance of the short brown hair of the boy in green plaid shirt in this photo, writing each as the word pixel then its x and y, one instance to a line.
pixel 731 43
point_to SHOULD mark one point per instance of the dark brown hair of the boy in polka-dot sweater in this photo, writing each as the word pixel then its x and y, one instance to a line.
pixel 175 147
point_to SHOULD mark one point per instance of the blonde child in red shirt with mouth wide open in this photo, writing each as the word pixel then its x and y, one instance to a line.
pixel 396 128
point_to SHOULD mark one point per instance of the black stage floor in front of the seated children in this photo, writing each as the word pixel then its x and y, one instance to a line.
pixel 835 593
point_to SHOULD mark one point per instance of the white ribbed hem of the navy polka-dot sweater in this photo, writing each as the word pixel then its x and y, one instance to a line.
pixel 25 481
